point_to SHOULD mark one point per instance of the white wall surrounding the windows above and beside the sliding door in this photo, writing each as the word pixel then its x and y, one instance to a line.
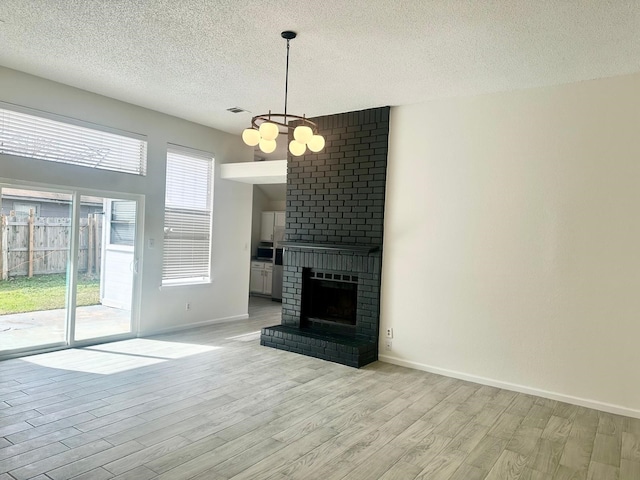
pixel 161 309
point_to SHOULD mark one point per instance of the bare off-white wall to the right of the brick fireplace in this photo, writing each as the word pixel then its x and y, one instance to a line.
pixel 512 241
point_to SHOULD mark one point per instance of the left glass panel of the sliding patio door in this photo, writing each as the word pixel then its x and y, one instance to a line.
pixel 34 257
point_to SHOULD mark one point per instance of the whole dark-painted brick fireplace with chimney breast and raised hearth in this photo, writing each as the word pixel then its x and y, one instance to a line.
pixel 333 242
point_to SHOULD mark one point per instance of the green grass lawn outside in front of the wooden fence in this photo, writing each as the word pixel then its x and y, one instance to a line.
pixel 45 292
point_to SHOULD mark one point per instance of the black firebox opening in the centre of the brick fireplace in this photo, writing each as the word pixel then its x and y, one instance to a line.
pixel 329 298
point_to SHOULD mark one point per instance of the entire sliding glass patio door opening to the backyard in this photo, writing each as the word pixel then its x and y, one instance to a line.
pixel 67 268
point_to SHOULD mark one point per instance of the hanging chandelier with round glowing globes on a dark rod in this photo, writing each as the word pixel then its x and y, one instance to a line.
pixel 265 128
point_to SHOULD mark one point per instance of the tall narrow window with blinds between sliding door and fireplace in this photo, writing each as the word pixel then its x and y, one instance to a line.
pixel 187 217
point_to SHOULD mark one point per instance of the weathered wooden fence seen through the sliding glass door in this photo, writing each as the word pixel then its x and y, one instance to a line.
pixel 40 245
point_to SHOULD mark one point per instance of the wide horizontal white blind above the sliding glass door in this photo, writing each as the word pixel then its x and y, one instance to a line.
pixel 26 135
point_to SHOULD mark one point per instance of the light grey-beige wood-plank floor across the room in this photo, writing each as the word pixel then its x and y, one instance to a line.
pixel 212 404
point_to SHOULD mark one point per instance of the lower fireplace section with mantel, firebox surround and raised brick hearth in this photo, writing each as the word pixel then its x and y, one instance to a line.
pixel 330 303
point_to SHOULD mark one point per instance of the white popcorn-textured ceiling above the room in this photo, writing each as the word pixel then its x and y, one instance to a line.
pixel 196 58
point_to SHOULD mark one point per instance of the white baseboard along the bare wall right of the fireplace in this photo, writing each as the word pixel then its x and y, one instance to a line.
pixel 583 402
